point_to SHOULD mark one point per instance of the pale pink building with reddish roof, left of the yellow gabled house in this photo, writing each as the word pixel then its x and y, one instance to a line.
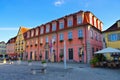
pixel 10 48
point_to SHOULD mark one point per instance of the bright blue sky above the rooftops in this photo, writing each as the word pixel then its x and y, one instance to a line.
pixel 31 13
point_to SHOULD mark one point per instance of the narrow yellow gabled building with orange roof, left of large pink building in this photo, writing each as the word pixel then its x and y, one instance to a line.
pixel 20 42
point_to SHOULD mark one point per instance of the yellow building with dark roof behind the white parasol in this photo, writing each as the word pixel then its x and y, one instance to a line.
pixel 112 37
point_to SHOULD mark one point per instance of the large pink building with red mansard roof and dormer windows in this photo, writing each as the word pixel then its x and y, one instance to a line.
pixel 81 31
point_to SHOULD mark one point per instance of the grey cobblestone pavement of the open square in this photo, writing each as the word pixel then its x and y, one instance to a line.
pixel 56 71
